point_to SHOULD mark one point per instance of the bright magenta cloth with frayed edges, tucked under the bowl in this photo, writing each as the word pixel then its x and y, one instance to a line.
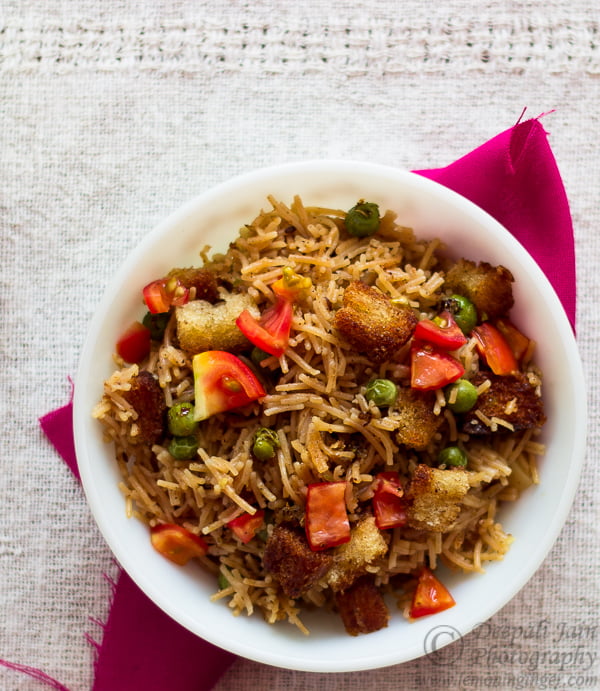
pixel 514 178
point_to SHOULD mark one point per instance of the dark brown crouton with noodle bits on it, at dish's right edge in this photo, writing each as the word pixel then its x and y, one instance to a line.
pixel 510 398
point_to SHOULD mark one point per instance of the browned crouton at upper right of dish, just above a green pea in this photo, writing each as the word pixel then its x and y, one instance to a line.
pixel 488 287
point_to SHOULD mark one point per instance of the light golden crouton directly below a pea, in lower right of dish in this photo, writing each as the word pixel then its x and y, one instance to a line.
pixel 434 497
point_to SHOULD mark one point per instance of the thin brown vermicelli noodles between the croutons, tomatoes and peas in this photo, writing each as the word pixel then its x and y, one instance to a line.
pixel 319 398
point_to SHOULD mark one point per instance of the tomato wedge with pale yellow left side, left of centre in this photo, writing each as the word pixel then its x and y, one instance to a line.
pixel 222 382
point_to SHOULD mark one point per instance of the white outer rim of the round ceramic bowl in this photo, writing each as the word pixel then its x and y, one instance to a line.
pixel 81 415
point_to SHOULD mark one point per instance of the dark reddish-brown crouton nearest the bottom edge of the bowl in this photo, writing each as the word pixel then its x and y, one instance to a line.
pixel 362 607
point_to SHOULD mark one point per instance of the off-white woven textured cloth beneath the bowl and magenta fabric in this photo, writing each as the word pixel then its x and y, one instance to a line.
pixel 115 113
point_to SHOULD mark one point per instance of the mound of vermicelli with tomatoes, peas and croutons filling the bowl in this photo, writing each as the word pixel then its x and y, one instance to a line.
pixel 354 414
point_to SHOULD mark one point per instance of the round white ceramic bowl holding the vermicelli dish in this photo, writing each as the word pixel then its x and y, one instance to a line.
pixel 214 218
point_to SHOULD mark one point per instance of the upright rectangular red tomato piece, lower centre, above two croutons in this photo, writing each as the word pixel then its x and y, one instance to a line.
pixel 326 518
